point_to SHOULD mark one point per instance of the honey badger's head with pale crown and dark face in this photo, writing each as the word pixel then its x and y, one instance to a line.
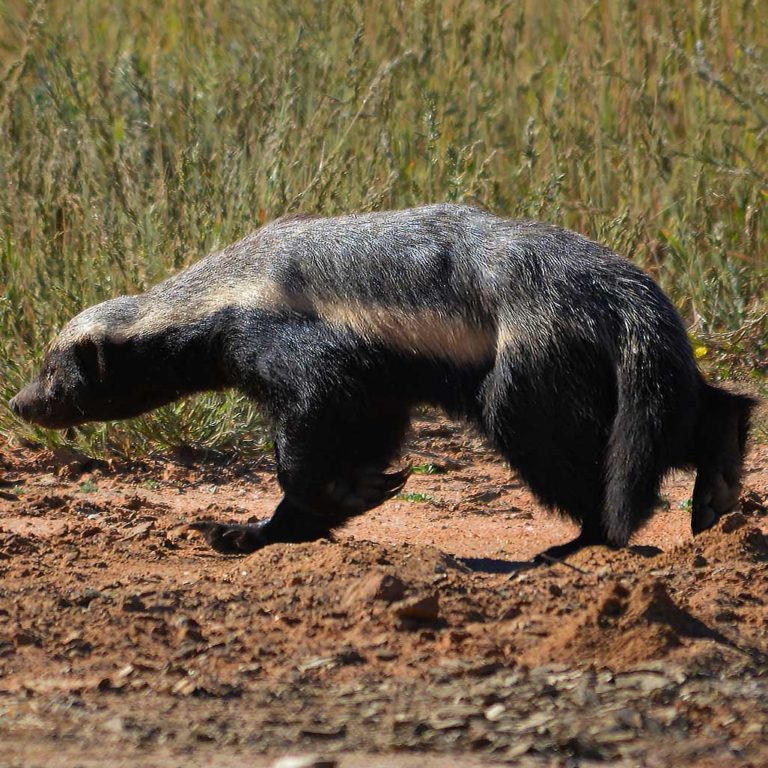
pixel 99 369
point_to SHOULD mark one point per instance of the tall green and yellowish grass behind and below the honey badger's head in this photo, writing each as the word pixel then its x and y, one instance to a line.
pixel 136 137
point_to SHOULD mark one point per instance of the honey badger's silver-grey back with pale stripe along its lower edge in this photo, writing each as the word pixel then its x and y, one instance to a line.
pixel 476 281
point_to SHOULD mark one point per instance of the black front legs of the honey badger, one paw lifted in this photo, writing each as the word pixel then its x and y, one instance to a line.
pixel 330 466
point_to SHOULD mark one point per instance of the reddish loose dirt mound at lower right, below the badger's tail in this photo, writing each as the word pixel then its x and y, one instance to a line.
pixel 625 626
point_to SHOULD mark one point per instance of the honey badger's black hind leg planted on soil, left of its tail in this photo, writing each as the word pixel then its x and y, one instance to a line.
pixel 557 443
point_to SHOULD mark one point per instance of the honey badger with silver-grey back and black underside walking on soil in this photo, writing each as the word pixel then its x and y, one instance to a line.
pixel 568 357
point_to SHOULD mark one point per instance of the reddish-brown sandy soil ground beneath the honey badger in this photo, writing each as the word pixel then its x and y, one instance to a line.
pixel 419 636
